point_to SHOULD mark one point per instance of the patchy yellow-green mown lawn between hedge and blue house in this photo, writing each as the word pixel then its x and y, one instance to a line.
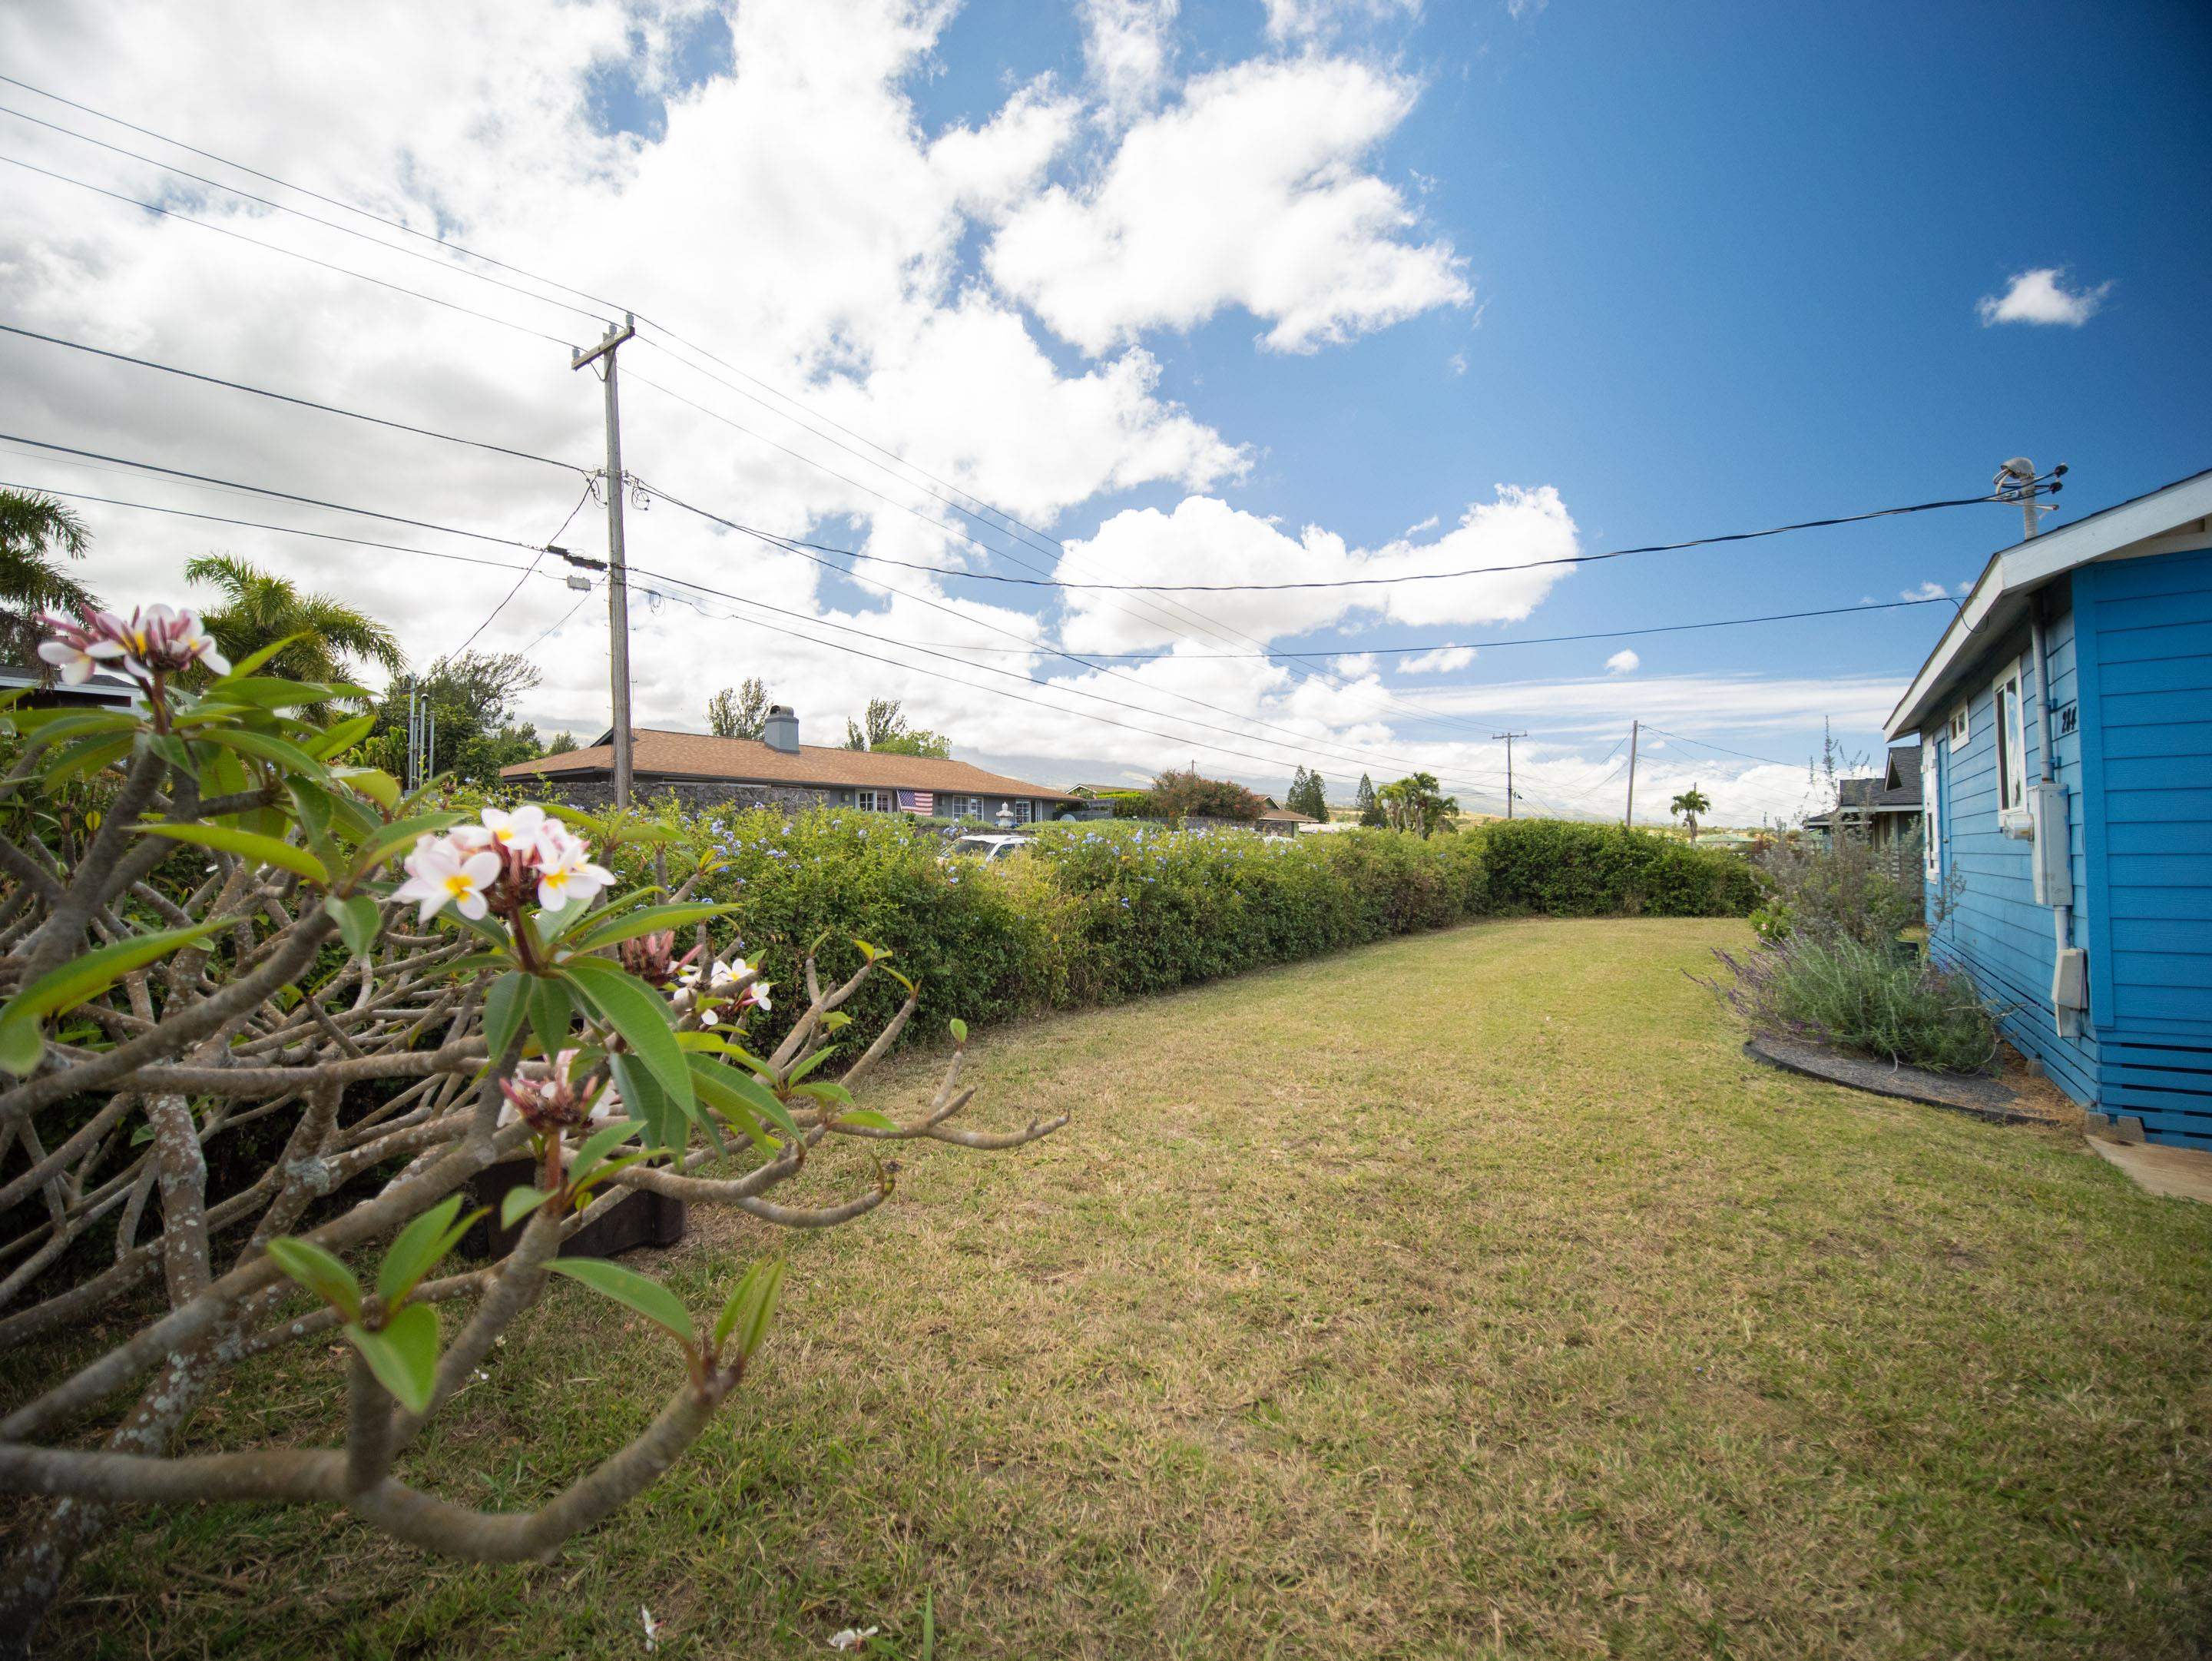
pixel 1461 1297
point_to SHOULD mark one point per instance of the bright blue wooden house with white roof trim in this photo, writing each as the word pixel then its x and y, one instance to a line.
pixel 2065 729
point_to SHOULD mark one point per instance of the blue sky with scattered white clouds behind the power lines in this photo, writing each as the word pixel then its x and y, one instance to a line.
pixel 1658 273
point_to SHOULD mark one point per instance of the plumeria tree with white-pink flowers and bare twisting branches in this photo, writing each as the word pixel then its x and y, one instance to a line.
pixel 218 937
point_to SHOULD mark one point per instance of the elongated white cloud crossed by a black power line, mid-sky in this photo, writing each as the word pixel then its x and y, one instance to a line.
pixel 1209 541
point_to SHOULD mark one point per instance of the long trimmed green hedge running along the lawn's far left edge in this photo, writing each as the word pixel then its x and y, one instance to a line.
pixel 1112 910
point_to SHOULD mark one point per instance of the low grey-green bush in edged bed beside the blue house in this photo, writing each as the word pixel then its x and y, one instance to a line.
pixel 1877 1001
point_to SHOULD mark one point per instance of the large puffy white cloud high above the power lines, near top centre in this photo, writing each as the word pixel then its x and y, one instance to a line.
pixel 1246 194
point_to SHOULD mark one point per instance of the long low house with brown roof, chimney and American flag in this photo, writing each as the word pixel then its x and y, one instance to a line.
pixel 700 769
